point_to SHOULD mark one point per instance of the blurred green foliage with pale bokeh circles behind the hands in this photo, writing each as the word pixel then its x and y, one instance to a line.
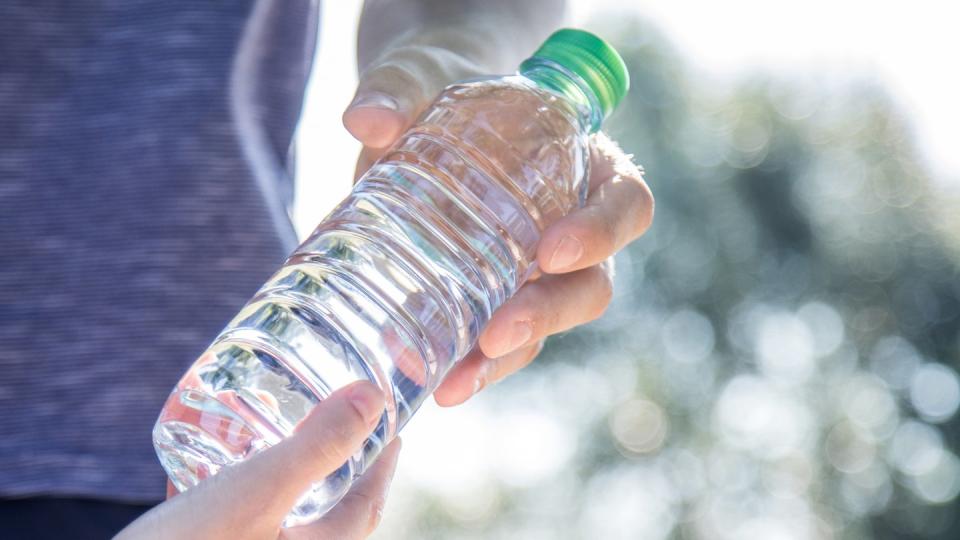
pixel 779 360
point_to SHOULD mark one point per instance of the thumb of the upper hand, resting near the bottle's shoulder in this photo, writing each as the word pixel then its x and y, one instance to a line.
pixel 396 88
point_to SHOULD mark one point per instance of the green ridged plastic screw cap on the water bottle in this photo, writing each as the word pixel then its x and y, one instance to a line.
pixel 593 60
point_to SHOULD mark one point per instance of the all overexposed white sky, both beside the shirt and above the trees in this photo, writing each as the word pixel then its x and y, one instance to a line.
pixel 912 46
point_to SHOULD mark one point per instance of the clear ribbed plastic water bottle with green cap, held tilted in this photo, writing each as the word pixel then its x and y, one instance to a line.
pixel 399 280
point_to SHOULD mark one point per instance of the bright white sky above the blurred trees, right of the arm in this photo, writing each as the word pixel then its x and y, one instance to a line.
pixel 912 46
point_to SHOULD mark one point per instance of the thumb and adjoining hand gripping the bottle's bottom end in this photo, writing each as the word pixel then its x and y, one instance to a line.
pixel 250 499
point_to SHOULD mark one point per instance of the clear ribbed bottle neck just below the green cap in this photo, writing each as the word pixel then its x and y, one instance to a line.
pixel 557 79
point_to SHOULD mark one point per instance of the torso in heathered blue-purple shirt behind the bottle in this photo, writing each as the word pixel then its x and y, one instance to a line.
pixel 144 191
